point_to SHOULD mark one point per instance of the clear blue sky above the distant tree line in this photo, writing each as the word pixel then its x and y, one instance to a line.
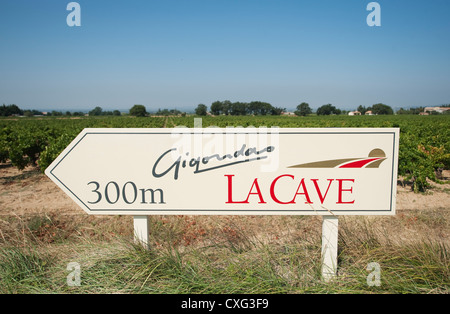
pixel 179 53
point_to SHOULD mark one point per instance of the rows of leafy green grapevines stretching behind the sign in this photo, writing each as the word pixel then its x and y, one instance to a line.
pixel 424 142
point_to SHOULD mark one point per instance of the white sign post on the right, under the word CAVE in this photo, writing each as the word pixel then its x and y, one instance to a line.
pixel 330 226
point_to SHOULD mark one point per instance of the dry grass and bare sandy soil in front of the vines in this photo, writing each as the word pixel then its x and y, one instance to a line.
pixel 213 254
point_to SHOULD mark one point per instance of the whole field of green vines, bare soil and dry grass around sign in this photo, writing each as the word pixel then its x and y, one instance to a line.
pixel 42 230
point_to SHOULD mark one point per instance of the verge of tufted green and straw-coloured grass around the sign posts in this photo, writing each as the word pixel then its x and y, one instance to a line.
pixel 230 259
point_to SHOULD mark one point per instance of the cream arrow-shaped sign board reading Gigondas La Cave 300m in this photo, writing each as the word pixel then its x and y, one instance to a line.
pixel 232 171
